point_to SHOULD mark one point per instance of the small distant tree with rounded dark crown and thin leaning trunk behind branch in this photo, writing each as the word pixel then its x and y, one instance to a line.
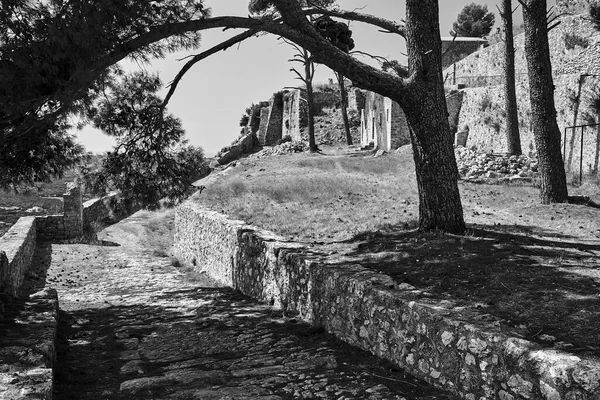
pixel 340 35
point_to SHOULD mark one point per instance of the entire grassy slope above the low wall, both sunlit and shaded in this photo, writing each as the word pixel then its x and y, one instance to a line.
pixel 534 267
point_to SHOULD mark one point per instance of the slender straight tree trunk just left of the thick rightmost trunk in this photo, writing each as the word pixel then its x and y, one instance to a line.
pixel 513 138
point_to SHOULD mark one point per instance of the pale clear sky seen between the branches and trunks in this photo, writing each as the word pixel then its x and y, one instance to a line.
pixel 213 95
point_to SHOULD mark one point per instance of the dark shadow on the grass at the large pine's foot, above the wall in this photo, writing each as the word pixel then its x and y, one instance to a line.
pixel 545 286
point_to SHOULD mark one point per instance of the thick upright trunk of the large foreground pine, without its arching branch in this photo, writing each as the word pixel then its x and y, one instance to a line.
pixel 427 115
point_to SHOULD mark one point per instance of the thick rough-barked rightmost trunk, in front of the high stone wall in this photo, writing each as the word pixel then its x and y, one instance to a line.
pixel 553 182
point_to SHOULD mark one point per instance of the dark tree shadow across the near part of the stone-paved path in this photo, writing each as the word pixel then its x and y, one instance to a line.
pixel 227 346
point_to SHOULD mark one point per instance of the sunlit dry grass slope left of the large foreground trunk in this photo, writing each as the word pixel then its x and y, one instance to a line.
pixel 313 198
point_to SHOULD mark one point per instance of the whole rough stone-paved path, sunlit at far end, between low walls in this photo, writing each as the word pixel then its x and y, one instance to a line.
pixel 135 326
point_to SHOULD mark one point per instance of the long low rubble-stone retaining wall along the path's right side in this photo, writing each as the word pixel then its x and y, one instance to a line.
pixel 429 339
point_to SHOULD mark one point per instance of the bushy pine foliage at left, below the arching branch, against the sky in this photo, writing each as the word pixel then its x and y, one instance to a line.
pixel 151 164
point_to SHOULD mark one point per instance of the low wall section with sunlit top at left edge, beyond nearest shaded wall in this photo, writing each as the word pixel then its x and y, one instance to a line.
pixel 16 252
